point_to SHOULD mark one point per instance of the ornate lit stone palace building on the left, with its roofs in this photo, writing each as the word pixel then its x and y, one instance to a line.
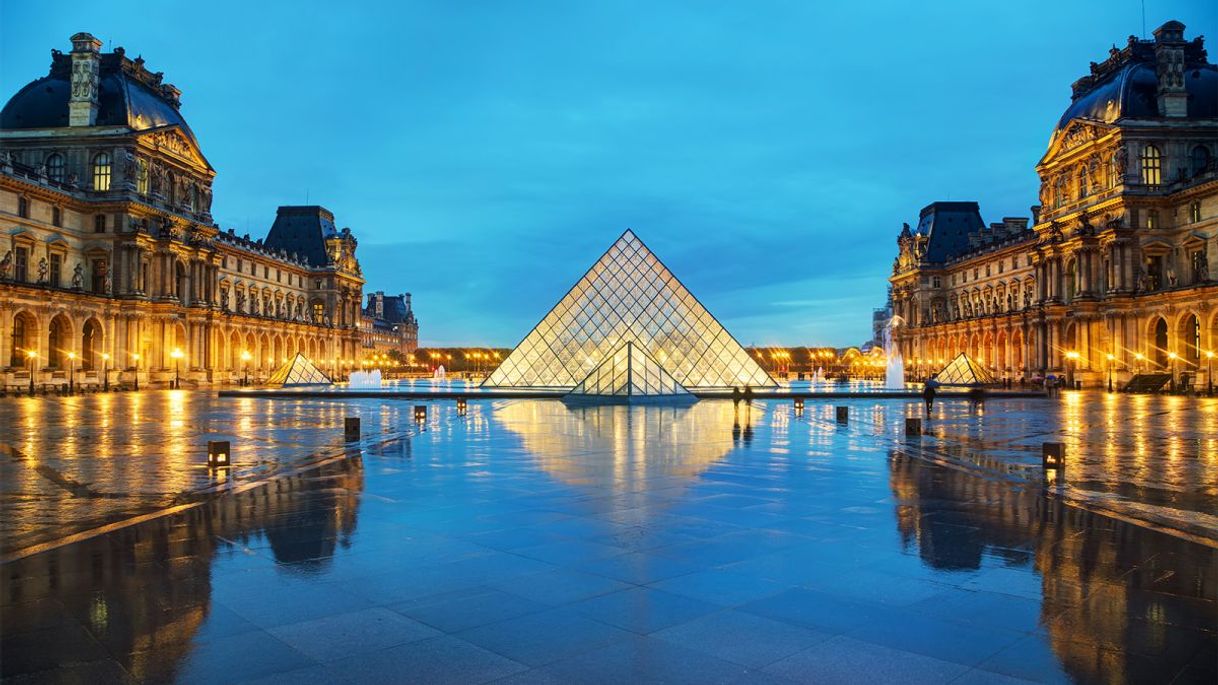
pixel 110 261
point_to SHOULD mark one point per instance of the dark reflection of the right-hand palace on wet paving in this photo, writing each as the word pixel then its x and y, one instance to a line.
pixel 1108 589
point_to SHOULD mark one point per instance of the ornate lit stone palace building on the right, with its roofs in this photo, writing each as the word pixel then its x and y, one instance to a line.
pixel 1116 274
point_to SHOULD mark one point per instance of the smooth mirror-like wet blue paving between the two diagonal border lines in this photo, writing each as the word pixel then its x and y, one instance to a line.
pixel 529 542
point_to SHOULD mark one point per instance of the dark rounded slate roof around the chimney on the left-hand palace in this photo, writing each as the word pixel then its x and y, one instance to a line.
pixel 128 97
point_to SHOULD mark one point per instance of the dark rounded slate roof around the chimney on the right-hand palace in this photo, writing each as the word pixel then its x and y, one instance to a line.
pixel 1126 86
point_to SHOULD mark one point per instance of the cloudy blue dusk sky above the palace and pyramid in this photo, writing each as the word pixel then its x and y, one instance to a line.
pixel 487 153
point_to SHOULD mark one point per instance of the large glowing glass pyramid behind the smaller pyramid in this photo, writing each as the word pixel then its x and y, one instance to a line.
pixel 629 297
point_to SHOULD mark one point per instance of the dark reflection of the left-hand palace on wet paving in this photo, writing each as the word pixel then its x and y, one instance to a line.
pixel 146 592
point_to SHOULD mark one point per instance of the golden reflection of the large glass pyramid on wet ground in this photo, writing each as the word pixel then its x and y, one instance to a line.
pixel 644 442
